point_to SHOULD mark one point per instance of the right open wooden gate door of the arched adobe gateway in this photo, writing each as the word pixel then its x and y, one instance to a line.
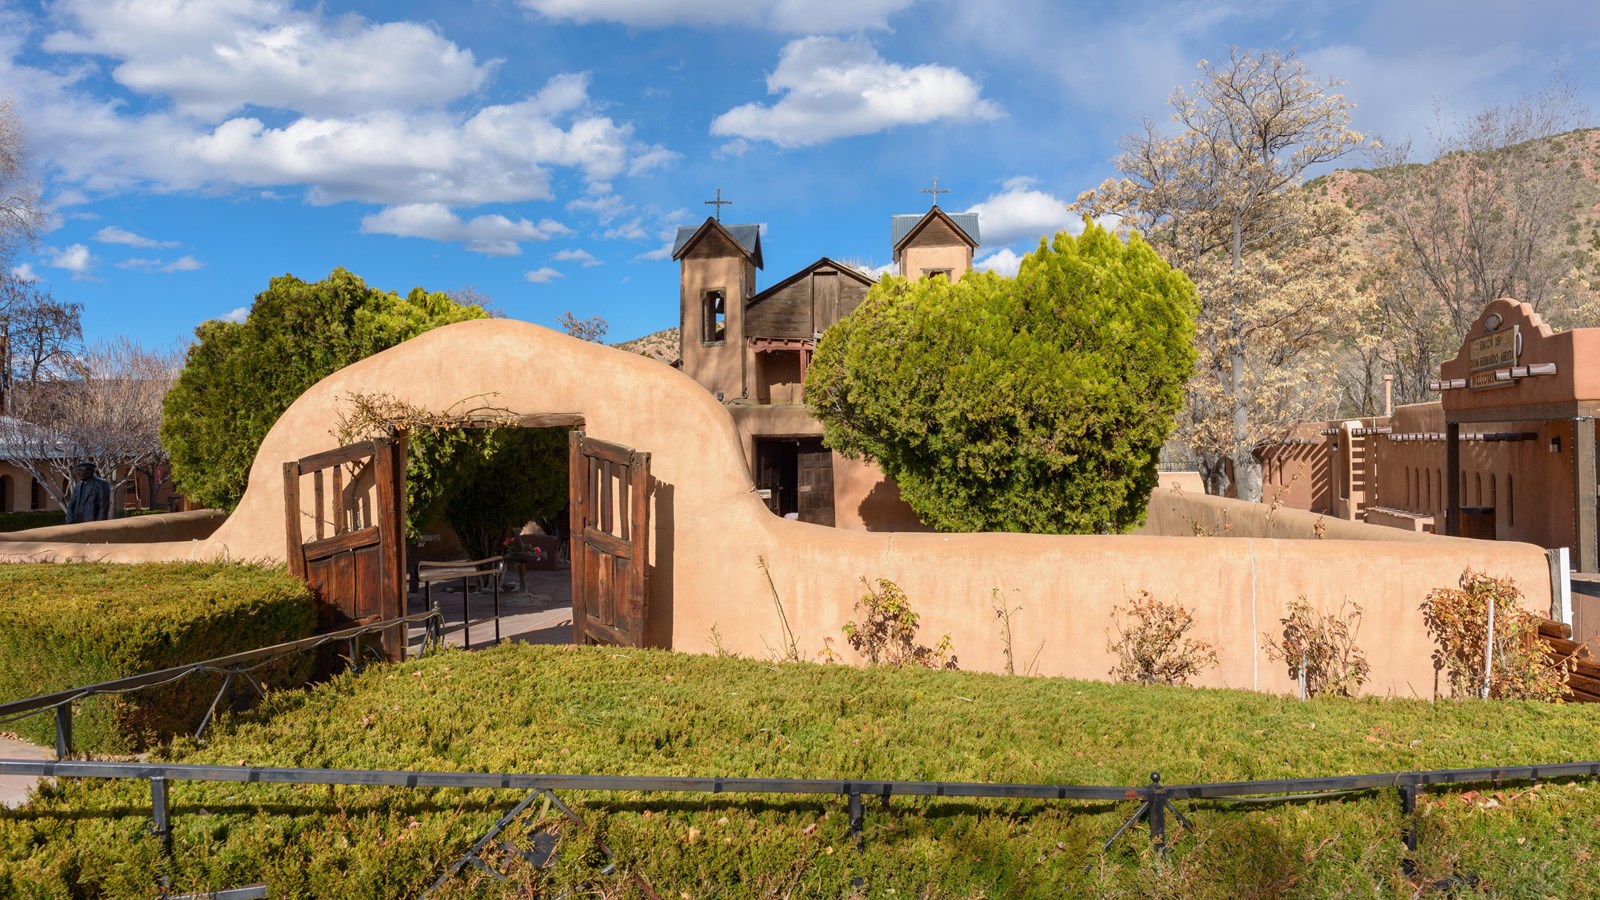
pixel 610 536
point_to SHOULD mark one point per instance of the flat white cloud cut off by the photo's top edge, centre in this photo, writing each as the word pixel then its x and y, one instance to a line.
pixel 780 15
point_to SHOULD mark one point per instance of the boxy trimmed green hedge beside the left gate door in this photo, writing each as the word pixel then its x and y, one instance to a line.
pixel 73 625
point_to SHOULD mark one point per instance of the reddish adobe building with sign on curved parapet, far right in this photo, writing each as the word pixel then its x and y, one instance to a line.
pixel 1506 454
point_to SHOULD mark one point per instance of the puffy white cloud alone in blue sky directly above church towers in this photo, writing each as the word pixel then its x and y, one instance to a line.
pixel 838 89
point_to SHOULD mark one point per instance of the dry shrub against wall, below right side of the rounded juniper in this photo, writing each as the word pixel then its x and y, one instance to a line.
pixel 1151 646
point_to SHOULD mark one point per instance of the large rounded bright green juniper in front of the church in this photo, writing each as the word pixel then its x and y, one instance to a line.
pixel 1028 404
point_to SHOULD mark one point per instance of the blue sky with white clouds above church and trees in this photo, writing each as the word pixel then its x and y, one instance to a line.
pixel 543 151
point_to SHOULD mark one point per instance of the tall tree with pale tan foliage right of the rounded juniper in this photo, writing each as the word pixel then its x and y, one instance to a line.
pixel 1276 267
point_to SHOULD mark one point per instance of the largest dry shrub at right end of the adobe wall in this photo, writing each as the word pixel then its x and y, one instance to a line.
pixel 1522 667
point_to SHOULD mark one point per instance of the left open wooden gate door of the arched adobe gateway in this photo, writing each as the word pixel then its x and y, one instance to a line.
pixel 356 556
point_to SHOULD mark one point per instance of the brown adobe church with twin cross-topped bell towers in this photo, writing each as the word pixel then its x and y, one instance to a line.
pixel 753 350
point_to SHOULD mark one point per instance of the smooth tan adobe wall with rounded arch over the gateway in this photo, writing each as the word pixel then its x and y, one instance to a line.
pixel 711 532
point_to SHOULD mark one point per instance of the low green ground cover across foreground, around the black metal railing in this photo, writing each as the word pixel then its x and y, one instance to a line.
pixel 652 713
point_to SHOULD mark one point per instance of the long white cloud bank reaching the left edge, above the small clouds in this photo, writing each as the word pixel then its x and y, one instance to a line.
pixel 494 155
